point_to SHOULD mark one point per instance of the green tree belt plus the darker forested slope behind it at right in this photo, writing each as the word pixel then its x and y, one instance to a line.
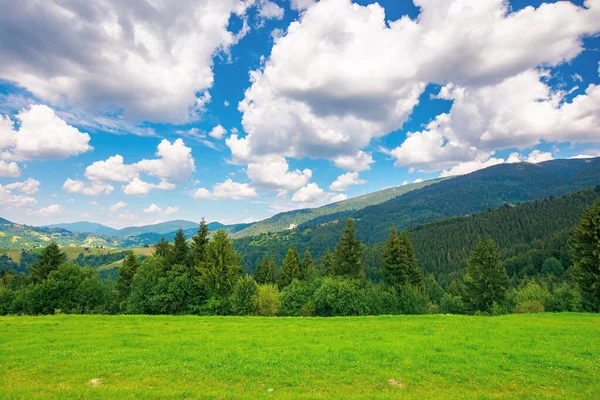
pixel 522 258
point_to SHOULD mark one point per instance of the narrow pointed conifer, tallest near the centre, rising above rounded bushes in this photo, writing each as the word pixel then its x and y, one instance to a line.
pixel 347 254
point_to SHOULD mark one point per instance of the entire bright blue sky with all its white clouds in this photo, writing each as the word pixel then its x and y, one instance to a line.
pixel 242 109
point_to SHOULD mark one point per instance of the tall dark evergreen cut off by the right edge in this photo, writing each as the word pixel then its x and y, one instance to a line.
pixel 586 255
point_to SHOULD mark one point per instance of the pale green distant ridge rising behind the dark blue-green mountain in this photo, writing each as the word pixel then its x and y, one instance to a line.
pixel 290 219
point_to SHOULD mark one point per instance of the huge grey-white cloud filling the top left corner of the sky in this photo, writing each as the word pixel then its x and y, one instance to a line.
pixel 150 59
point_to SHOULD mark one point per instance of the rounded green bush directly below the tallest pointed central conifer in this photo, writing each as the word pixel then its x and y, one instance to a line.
pixel 341 297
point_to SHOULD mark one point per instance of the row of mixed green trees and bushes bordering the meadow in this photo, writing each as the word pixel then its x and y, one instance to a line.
pixel 204 276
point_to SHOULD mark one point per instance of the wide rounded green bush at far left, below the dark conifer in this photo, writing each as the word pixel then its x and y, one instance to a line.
pixel 72 290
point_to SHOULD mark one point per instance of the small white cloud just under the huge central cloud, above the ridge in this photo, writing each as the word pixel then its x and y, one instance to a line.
pixel 273 173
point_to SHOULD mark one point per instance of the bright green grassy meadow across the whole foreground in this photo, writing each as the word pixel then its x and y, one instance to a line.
pixel 412 357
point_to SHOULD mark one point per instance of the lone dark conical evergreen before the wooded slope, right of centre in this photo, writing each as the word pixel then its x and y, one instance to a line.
pixel 486 278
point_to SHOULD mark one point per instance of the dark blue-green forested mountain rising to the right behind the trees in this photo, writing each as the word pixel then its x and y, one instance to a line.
pixel 463 195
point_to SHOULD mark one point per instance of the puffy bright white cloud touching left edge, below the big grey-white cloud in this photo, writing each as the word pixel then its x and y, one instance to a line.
pixel 41 135
